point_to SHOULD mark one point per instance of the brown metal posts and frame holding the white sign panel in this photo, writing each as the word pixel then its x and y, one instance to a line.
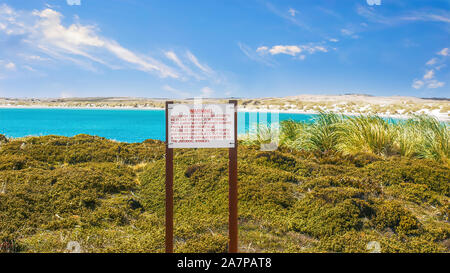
pixel 232 187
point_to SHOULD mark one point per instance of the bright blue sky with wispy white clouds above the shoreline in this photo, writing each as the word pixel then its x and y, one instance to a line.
pixel 239 48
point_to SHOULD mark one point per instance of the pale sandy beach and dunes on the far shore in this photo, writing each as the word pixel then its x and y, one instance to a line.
pixel 332 103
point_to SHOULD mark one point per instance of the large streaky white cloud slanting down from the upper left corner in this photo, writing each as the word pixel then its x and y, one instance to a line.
pixel 80 44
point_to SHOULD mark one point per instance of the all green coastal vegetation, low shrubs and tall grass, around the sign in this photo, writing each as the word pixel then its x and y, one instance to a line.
pixel 338 185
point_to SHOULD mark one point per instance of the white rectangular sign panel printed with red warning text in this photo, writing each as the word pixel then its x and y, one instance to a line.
pixel 201 125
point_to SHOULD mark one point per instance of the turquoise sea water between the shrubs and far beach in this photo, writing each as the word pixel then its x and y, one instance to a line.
pixel 121 125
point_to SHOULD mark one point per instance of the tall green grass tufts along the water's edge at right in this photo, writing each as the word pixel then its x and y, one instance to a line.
pixel 420 136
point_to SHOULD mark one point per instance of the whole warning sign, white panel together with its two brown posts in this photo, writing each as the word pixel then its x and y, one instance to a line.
pixel 202 126
